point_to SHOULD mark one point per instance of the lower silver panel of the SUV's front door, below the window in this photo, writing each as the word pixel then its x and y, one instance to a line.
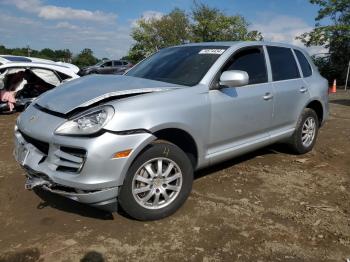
pixel 248 101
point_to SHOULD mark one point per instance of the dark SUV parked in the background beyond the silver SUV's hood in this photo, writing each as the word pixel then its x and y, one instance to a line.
pixel 106 67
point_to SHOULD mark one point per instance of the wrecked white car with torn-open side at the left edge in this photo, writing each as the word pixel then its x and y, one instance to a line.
pixel 22 82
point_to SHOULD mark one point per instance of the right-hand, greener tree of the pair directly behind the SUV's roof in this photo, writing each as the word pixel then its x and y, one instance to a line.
pixel 211 24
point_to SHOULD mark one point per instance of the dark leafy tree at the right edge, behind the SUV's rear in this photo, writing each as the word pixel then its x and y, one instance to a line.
pixel 335 36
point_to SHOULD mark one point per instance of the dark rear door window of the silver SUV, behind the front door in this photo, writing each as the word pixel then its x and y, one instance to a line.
pixel 283 64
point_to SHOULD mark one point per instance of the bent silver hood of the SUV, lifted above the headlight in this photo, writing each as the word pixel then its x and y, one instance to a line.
pixel 88 90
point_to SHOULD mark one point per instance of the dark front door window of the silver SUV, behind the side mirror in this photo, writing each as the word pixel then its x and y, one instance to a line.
pixel 252 61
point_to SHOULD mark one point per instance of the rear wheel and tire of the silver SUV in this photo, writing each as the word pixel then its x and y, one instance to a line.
pixel 299 142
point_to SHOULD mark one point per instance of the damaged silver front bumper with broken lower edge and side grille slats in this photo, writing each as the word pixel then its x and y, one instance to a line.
pixel 79 168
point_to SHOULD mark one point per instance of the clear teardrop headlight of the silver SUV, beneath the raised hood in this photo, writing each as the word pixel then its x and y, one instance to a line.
pixel 88 122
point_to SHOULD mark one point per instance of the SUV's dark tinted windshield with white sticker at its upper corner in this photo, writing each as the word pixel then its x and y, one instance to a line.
pixel 184 65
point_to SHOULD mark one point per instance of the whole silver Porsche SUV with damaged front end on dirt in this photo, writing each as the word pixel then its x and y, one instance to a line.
pixel 136 139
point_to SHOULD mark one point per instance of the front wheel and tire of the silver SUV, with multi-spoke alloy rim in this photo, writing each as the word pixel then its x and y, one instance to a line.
pixel 144 185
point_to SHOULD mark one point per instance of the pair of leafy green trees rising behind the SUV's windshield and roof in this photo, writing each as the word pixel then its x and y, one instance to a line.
pixel 202 25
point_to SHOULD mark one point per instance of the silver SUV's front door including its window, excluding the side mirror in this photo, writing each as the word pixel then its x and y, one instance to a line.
pixel 242 115
